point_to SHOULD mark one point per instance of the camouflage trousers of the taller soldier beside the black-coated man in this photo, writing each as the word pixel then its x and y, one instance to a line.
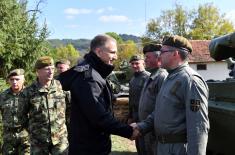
pixel 50 149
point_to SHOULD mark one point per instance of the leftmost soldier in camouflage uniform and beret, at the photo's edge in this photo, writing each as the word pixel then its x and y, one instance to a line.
pixel 15 138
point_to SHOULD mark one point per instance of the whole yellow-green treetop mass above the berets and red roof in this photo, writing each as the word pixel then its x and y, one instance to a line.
pixel 204 23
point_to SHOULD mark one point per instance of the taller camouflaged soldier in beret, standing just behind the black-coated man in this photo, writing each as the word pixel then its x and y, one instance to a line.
pixel 46 110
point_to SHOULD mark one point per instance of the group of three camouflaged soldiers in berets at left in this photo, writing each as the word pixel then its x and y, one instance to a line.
pixel 35 118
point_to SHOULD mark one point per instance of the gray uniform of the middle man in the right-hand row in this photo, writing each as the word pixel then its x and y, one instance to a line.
pixel 147 104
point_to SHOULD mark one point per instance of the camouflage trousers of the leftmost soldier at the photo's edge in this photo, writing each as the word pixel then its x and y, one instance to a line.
pixel 15 143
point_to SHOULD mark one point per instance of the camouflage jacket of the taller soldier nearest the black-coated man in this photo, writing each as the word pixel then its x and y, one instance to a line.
pixel 46 110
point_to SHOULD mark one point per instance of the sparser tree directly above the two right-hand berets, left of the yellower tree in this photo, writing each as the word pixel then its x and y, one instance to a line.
pixel 170 22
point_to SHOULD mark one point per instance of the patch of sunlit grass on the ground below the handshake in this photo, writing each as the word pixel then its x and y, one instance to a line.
pixel 123 146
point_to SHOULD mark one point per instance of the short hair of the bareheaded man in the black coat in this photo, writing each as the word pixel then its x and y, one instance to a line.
pixel 100 41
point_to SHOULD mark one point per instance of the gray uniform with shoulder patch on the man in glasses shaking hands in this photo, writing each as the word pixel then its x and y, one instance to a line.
pixel 181 114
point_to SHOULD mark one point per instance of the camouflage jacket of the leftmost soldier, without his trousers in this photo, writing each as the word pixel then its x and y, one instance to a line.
pixel 9 106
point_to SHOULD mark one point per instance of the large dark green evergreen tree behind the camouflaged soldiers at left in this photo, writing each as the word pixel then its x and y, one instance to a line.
pixel 22 41
